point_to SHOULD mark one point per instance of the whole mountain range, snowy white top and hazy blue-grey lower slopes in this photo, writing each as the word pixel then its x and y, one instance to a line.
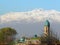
pixel 31 22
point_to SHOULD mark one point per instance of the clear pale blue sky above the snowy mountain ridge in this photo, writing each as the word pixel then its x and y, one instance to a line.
pixel 25 5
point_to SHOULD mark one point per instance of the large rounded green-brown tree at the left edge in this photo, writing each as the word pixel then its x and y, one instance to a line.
pixel 7 35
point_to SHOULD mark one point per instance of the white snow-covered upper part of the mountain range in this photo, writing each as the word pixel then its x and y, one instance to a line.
pixel 36 15
